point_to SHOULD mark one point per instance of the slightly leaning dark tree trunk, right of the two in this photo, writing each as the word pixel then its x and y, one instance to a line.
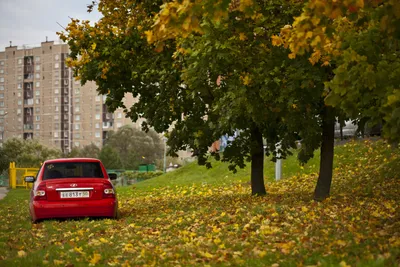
pixel 326 161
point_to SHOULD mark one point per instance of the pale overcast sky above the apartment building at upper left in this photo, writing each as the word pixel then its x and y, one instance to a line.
pixel 28 22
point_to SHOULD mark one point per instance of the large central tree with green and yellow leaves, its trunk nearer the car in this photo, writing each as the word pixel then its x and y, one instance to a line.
pixel 208 74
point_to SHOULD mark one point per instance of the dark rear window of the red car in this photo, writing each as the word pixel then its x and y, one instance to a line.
pixel 72 170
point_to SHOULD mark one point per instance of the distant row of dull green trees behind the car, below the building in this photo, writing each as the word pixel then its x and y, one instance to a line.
pixel 126 148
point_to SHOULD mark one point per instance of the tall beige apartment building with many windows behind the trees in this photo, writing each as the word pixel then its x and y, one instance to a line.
pixel 40 99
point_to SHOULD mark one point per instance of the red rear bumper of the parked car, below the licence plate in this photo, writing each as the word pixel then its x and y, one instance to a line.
pixel 61 209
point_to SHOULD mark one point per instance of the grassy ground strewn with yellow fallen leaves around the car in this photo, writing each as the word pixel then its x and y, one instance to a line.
pixel 223 225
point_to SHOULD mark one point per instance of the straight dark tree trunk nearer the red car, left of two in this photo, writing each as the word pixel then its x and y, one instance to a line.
pixel 257 163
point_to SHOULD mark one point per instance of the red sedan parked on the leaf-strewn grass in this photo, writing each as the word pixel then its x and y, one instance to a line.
pixel 75 187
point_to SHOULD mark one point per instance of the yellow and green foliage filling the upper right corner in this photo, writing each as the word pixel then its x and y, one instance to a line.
pixel 361 39
